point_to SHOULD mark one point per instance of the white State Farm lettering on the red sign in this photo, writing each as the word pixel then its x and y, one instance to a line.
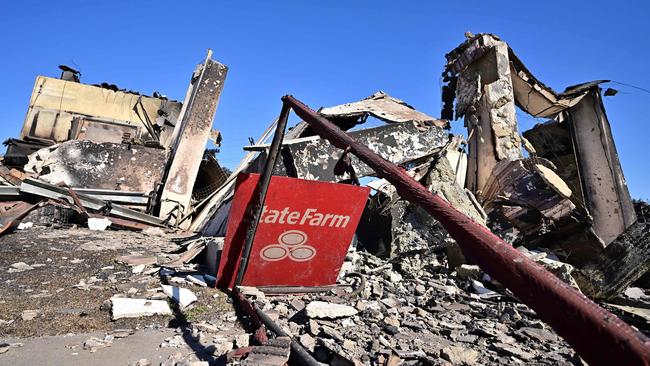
pixel 310 217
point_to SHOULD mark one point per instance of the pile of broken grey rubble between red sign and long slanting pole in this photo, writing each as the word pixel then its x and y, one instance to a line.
pixel 434 316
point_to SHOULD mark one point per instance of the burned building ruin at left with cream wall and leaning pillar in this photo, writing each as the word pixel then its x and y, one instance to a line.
pixel 101 138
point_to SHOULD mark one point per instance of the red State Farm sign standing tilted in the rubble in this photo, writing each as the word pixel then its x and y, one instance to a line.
pixel 304 232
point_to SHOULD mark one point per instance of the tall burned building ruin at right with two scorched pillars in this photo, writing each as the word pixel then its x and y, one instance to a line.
pixel 586 205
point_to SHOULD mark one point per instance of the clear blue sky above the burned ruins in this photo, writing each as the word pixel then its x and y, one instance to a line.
pixel 325 53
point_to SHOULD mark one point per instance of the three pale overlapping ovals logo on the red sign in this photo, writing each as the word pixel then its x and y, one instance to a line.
pixel 291 244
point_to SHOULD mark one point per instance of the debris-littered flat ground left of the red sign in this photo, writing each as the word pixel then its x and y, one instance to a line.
pixel 57 286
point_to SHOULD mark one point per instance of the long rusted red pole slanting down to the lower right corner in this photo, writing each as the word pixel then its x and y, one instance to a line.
pixel 597 335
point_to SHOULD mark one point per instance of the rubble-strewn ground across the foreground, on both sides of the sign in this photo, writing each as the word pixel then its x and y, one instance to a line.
pixel 415 310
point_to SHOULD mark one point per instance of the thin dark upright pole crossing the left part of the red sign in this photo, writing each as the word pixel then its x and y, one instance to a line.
pixel 255 206
